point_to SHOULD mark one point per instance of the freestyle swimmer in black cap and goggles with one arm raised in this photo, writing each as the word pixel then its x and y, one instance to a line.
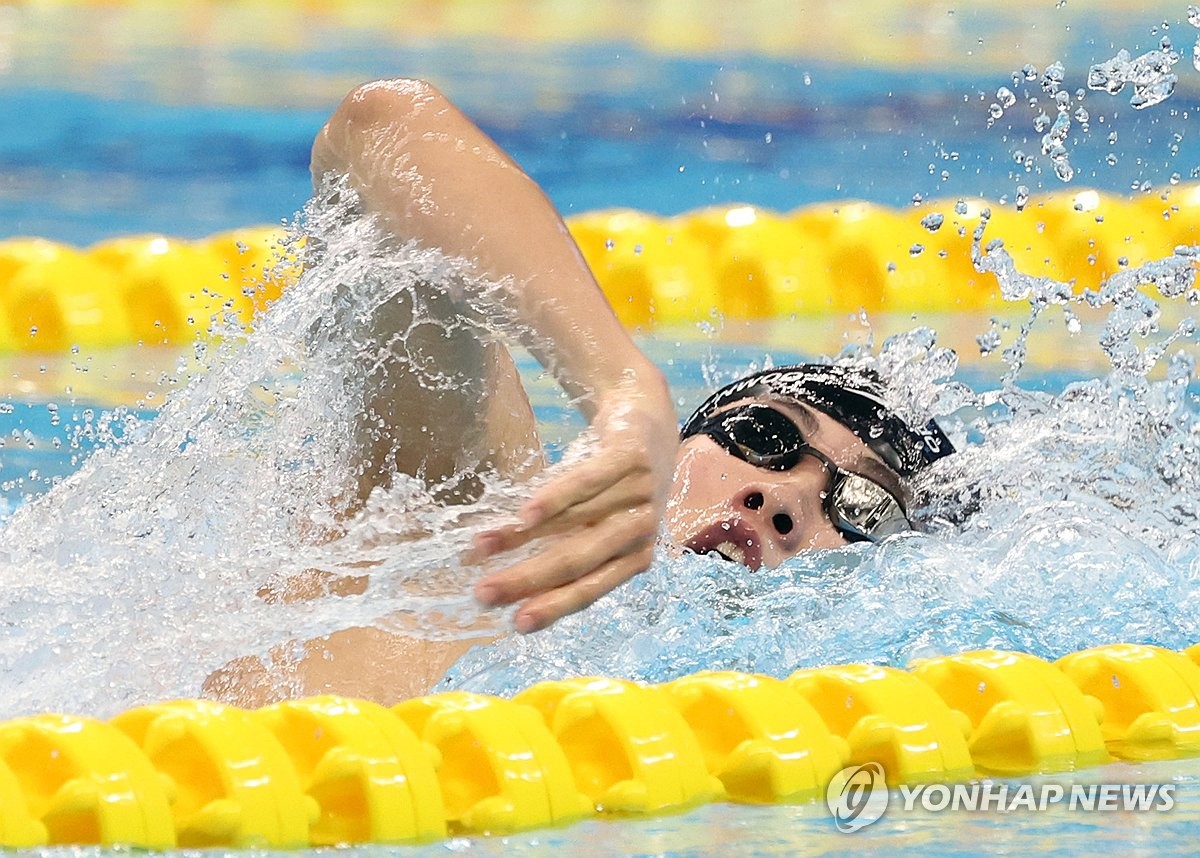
pixel 777 464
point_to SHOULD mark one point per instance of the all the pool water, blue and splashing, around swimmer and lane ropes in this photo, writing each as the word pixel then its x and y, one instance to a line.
pixel 196 119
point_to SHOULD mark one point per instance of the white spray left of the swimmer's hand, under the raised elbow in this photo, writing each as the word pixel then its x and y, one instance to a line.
pixel 139 575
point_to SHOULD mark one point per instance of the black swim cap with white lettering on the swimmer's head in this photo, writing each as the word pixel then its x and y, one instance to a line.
pixel 851 395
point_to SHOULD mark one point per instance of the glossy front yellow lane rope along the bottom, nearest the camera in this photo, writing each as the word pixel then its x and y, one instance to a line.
pixel 331 771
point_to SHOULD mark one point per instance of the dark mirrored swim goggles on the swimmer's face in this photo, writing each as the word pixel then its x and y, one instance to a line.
pixel 860 508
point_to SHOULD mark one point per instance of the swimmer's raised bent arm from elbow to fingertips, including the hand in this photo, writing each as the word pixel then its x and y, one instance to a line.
pixel 433 176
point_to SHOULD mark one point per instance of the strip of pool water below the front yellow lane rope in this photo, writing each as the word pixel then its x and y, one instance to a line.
pixel 808 830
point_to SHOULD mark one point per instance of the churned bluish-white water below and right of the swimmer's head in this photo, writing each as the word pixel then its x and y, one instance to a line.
pixel 1065 521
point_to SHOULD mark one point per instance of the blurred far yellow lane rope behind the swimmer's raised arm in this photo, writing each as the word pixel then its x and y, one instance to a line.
pixel 736 262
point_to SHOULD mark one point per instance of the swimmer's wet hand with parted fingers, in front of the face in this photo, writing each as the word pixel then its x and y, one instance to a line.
pixel 603 514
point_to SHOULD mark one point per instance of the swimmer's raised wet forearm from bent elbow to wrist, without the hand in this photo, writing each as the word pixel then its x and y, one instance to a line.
pixel 434 176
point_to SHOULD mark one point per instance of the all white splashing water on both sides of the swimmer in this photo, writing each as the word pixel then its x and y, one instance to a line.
pixel 1065 520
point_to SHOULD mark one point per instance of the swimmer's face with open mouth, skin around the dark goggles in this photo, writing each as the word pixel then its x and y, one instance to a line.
pixel 761 518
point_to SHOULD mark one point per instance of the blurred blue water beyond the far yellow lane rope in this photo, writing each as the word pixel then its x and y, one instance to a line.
pixel 190 140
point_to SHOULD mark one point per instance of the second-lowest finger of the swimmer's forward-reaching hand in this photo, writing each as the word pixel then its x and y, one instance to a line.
pixel 572 559
